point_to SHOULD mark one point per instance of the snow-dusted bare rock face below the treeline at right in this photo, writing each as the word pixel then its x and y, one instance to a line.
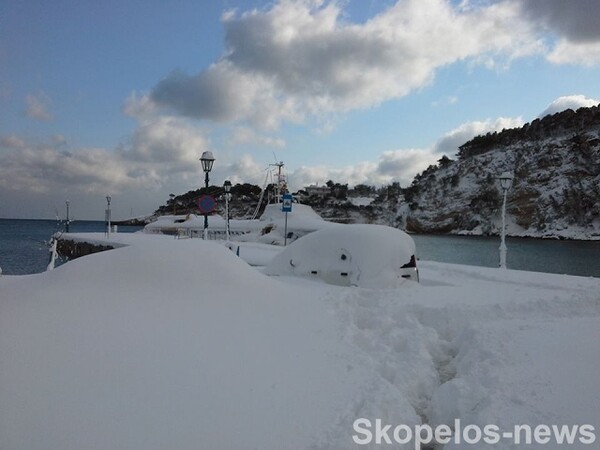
pixel 545 170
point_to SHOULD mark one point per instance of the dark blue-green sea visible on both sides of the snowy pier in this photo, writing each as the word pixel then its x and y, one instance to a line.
pixel 24 249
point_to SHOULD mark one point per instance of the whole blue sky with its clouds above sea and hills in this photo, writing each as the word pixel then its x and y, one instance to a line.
pixel 122 97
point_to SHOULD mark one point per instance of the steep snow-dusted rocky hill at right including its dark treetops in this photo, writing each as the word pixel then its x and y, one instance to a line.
pixel 556 188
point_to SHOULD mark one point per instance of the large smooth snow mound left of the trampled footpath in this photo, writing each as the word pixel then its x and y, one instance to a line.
pixel 173 344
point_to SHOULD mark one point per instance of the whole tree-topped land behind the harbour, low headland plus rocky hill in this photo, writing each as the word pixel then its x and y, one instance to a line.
pixel 556 190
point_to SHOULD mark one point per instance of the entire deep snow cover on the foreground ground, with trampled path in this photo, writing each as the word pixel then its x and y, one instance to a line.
pixel 180 344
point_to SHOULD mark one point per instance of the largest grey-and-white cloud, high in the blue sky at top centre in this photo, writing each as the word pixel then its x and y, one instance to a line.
pixel 300 58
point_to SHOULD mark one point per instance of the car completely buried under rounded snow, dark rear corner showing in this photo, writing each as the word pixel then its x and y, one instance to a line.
pixel 351 255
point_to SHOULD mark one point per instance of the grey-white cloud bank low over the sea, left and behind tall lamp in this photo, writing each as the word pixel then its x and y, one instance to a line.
pixel 161 157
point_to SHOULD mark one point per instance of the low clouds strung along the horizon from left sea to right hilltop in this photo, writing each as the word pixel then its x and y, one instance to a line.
pixel 162 156
